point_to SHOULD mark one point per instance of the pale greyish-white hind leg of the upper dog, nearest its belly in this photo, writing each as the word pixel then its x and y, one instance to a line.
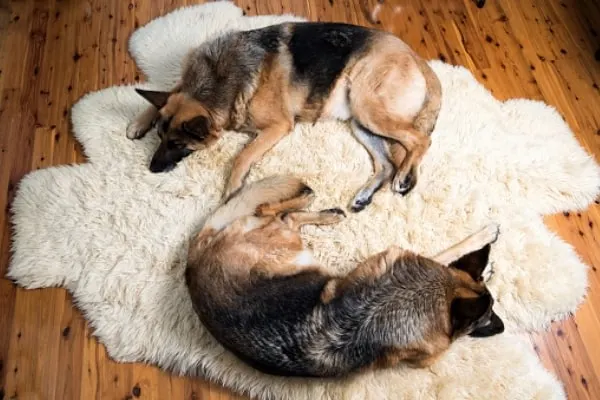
pixel 382 167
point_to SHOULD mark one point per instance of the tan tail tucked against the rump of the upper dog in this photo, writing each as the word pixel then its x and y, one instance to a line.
pixel 427 117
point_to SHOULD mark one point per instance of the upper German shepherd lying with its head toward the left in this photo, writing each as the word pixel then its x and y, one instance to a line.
pixel 262 81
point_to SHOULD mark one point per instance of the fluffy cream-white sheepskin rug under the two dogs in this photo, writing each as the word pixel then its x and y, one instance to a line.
pixel 115 235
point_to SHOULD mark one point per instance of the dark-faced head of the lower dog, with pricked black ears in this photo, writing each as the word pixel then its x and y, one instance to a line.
pixel 471 308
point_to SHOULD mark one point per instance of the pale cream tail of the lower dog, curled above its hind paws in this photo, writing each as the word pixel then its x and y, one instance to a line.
pixel 269 190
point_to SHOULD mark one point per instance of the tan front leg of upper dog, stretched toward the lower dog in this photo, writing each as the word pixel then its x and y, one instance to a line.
pixel 252 153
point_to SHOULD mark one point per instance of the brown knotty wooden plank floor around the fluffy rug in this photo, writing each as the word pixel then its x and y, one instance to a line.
pixel 54 51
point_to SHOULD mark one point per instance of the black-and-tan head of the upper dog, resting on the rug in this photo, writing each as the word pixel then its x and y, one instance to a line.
pixel 183 125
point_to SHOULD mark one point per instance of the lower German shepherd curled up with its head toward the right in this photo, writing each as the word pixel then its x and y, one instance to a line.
pixel 260 292
